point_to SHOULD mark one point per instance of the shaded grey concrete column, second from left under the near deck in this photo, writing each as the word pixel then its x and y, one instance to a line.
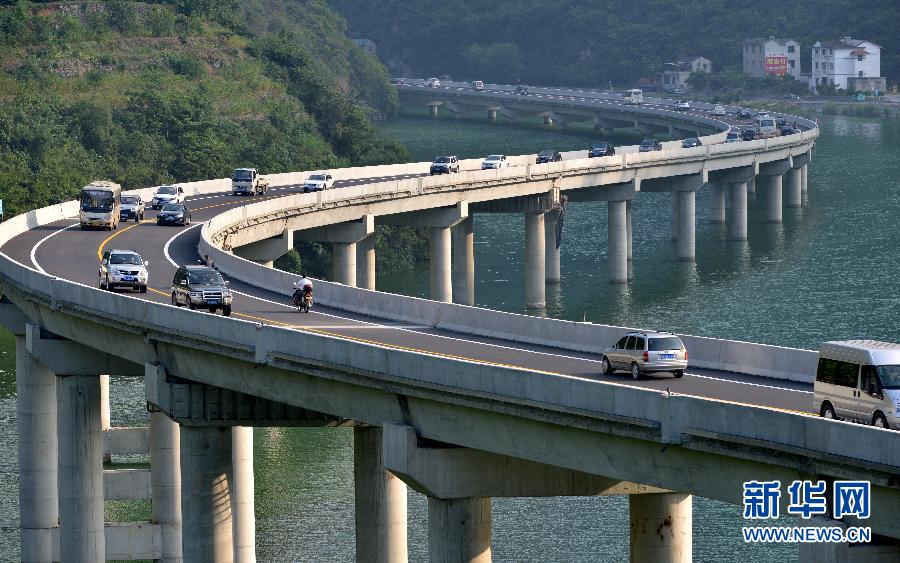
pixel 81 530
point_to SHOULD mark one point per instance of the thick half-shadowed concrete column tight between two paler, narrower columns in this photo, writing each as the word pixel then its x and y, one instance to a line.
pixel 206 475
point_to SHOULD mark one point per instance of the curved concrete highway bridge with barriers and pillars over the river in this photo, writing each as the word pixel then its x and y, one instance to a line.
pixel 461 403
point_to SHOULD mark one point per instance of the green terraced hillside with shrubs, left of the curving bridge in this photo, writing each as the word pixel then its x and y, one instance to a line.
pixel 150 92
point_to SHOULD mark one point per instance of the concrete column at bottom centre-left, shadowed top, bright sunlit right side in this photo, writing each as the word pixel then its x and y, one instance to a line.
pixel 380 501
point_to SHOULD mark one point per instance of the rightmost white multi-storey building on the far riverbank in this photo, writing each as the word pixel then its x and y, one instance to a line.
pixel 843 62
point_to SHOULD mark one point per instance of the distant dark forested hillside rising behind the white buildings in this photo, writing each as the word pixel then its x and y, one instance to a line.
pixel 574 42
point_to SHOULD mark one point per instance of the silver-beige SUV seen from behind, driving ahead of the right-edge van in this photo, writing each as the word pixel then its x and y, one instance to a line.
pixel 646 352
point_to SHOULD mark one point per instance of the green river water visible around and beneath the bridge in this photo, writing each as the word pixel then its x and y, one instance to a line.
pixel 829 271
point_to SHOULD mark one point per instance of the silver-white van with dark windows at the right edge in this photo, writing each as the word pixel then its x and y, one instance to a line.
pixel 859 380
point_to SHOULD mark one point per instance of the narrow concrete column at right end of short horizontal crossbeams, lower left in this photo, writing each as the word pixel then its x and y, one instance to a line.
pixel 165 484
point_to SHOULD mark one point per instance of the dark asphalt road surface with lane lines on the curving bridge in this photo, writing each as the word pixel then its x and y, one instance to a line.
pixel 63 250
